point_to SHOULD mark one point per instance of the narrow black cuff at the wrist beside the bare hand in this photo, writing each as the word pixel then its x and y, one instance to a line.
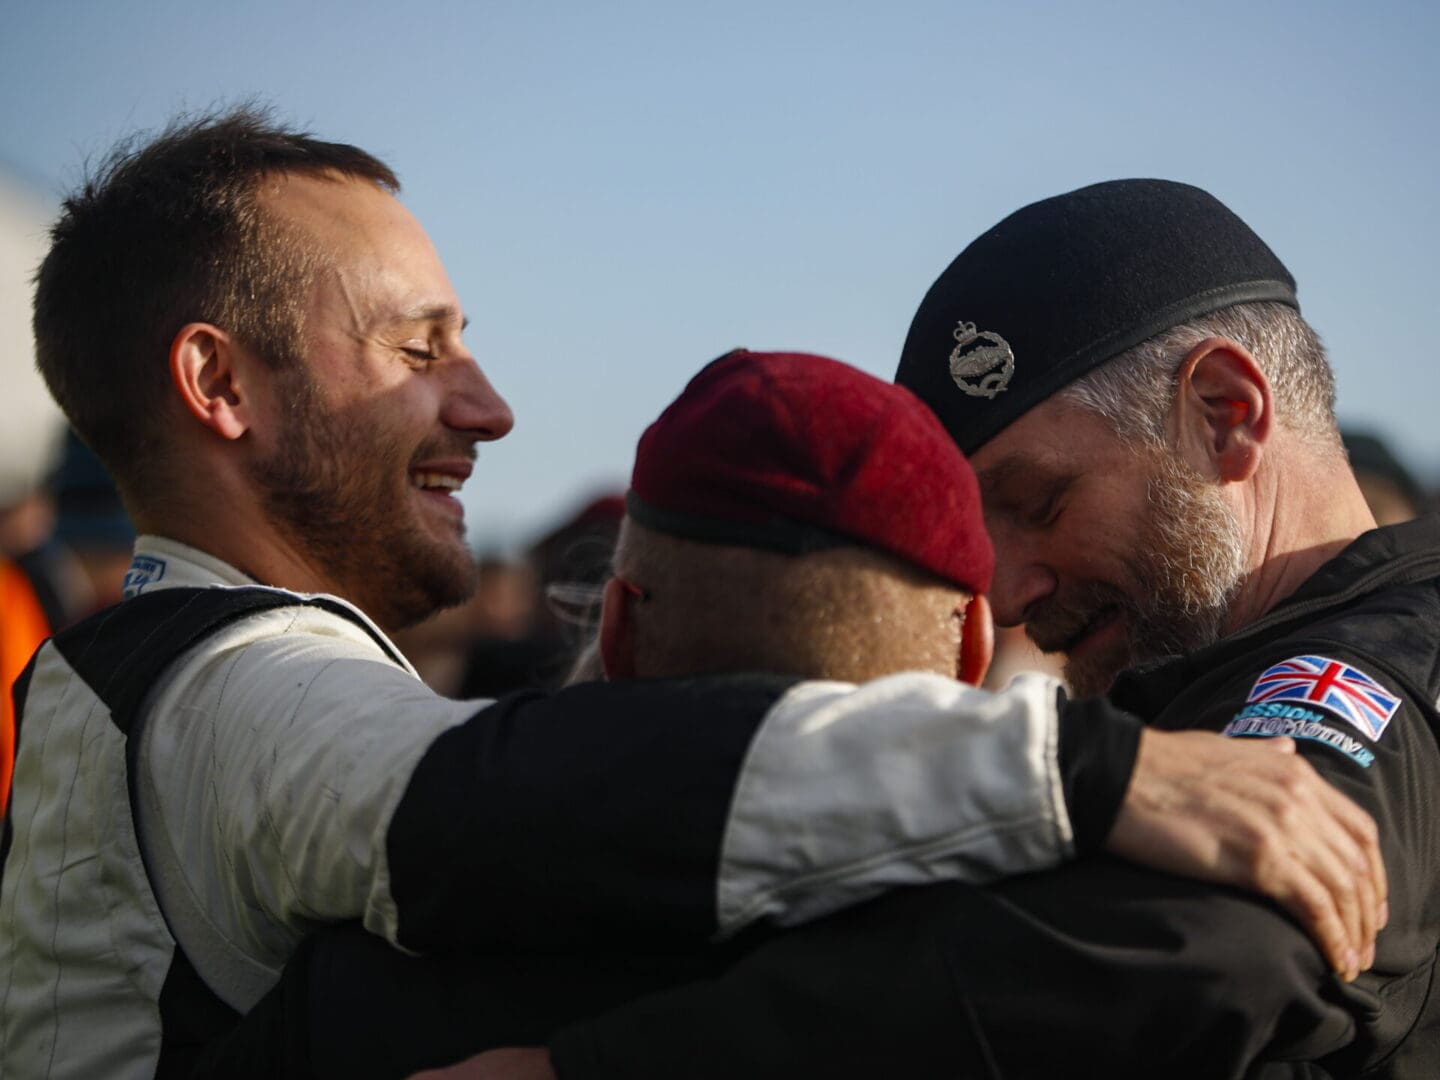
pixel 1098 750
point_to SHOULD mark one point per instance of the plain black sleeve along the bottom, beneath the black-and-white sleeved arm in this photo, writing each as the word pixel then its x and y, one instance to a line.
pixel 1095 970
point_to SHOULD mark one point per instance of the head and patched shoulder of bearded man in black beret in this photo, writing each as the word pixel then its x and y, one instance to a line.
pixel 1170 499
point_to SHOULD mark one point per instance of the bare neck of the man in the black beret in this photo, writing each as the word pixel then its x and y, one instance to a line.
pixel 1304 509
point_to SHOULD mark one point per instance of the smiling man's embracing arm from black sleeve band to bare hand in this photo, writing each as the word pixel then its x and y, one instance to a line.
pixel 693 809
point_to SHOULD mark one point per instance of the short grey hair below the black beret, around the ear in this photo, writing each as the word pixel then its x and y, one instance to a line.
pixel 1135 390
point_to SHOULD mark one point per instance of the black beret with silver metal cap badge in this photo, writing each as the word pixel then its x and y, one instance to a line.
pixel 1065 284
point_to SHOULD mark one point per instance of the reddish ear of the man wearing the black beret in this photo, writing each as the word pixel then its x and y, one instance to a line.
pixel 1223 413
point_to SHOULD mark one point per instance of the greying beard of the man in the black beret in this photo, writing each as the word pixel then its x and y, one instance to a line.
pixel 1187 570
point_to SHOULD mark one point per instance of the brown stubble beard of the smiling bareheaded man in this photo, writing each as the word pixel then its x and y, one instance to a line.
pixel 332 489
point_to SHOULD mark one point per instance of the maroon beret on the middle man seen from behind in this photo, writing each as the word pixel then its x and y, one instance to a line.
pixel 796 454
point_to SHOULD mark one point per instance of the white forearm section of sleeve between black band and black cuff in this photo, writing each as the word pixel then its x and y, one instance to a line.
pixel 849 791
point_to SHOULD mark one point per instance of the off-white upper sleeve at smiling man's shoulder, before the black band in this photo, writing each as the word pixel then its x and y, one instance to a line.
pixel 274 761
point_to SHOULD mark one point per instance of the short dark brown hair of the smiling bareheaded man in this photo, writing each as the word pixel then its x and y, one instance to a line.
pixel 168 233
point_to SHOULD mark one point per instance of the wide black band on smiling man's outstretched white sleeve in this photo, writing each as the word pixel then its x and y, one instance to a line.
pixel 561 822
